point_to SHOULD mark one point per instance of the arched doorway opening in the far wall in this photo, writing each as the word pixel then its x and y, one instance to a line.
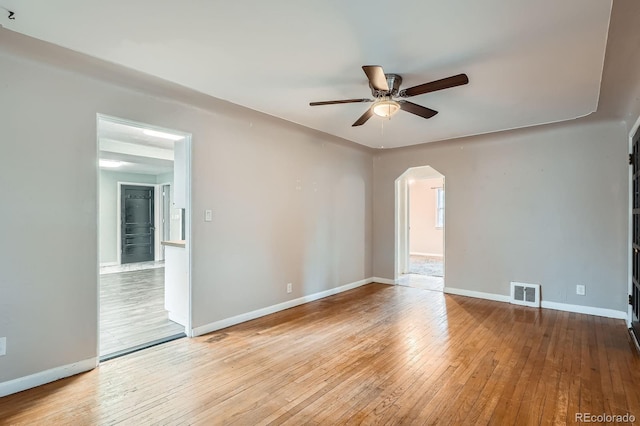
pixel 420 228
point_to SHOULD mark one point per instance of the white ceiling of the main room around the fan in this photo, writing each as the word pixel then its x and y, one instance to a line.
pixel 528 62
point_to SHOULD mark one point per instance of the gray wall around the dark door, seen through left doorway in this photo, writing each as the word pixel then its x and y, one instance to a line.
pixel 108 206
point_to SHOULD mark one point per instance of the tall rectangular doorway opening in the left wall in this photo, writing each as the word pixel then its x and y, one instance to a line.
pixel 144 196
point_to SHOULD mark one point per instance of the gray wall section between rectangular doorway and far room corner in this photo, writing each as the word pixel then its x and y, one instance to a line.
pixel 288 207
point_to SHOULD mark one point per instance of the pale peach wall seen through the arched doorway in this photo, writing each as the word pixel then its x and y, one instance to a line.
pixel 424 237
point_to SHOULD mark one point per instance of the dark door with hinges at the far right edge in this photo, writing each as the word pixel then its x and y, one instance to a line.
pixel 635 214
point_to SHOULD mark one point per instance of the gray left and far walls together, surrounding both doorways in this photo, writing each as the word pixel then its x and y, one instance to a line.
pixel 546 205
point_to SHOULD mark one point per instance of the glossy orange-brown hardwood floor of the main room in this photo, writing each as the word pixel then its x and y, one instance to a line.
pixel 375 355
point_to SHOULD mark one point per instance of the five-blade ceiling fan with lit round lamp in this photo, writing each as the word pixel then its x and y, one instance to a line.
pixel 385 89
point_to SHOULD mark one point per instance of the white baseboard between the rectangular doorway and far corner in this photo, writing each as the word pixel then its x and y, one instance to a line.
pixel 228 322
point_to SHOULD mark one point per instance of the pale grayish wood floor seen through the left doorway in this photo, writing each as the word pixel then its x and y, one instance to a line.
pixel 132 310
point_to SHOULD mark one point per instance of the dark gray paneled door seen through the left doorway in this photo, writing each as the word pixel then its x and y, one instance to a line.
pixel 137 228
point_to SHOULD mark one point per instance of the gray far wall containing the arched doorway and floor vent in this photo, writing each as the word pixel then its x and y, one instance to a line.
pixel 546 205
